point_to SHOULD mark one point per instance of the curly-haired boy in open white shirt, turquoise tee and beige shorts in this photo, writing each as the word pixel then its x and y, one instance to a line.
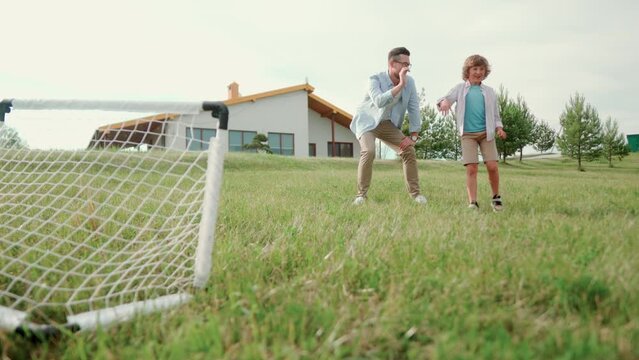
pixel 478 122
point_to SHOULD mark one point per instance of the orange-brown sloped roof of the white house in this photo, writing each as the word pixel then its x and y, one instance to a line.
pixel 316 103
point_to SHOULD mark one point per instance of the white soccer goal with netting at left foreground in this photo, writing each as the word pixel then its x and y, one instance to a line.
pixel 107 209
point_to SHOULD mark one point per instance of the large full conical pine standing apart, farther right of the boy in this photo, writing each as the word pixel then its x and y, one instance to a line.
pixel 580 136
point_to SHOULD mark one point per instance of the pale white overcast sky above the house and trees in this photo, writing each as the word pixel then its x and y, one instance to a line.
pixel 190 50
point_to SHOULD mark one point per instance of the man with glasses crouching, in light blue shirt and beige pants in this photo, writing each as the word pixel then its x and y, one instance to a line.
pixel 380 115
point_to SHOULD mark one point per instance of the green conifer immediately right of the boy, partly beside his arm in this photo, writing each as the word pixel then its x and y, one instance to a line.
pixel 518 123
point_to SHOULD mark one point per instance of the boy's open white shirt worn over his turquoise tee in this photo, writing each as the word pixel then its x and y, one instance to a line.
pixel 458 95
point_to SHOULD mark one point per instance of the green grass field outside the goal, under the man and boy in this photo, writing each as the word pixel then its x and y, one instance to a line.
pixel 299 273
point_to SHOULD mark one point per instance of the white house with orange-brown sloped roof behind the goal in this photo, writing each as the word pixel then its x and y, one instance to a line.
pixel 296 121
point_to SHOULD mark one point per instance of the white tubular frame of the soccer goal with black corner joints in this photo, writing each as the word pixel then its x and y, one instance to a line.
pixel 16 321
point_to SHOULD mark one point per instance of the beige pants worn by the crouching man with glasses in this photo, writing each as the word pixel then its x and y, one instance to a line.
pixel 391 136
